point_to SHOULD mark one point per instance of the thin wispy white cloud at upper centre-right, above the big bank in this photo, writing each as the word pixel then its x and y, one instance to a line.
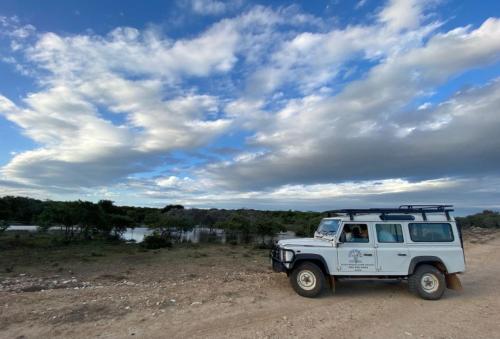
pixel 310 60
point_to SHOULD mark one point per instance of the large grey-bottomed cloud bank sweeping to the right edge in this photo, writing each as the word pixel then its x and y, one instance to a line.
pixel 325 139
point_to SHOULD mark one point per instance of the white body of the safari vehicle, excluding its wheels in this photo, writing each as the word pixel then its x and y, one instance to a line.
pixel 393 244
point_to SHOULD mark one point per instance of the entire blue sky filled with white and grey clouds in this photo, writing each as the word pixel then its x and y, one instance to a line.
pixel 311 106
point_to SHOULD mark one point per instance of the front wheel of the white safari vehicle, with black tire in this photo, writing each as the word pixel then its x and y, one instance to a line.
pixel 307 280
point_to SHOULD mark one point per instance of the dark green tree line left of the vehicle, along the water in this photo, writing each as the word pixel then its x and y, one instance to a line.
pixel 87 219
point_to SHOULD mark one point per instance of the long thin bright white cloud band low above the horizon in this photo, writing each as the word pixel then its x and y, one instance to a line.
pixel 181 190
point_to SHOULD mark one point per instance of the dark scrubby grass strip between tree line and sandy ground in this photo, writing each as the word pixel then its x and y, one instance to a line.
pixel 45 254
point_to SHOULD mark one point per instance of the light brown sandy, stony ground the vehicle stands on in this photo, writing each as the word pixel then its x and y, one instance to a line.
pixel 224 292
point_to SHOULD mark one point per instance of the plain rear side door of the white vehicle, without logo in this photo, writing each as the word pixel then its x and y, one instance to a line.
pixel 393 255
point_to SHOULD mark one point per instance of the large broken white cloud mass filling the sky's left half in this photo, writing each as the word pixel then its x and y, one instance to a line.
pixel 134 77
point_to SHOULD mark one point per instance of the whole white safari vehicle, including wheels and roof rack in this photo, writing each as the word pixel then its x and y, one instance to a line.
pixel 420 243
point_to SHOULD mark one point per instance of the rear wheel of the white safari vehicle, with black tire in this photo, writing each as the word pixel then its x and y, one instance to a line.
pixel 427 282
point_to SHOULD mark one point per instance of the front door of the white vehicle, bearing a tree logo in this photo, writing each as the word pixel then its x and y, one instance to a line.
pixel 355 250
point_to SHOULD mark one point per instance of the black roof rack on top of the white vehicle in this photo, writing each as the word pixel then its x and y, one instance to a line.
pixel 405 209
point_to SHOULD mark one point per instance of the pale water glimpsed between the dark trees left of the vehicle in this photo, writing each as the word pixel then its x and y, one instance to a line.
pixel 196 235
